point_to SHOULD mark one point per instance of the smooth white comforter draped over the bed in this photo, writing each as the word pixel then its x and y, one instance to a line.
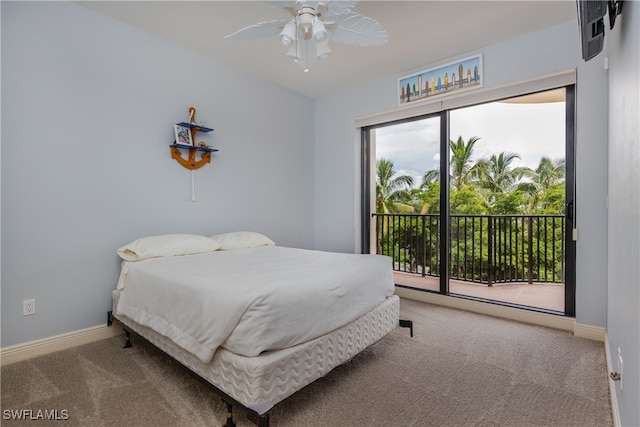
pixel 251 300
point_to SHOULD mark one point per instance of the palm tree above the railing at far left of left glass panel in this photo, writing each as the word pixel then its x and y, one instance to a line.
pixel 393 191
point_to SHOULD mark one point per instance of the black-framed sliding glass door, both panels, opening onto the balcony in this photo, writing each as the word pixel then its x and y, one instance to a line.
pixel 477 202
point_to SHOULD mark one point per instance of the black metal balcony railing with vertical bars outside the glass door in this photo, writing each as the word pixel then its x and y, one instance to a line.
pixel 485 249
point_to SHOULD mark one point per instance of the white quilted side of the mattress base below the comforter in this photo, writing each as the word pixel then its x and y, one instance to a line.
pixel 260 382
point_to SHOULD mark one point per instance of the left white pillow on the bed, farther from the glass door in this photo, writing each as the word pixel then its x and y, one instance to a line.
pixel 167 245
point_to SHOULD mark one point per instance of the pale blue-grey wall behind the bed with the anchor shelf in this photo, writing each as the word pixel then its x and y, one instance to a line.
pixel 88 106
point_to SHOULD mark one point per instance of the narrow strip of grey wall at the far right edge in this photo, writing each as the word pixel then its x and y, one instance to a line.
pixel 623 322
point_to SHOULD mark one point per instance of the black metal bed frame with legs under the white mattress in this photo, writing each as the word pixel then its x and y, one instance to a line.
pixel 260 420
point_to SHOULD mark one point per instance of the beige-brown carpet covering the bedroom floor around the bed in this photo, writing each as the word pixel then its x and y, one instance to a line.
pixel 460 369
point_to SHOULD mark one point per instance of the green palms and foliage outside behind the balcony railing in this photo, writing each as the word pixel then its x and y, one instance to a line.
pixel 493 235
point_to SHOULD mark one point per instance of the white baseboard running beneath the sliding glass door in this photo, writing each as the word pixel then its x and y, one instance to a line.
pixel 525 316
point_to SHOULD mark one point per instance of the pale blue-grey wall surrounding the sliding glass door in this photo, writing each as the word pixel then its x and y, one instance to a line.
pixel 552 50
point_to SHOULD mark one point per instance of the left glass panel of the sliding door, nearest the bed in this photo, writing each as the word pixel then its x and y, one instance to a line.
pixel 406 208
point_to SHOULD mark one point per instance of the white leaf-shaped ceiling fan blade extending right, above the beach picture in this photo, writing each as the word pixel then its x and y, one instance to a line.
pixel 359 30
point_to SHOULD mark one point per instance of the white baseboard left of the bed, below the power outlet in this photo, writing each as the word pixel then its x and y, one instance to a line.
pixel 19 352
